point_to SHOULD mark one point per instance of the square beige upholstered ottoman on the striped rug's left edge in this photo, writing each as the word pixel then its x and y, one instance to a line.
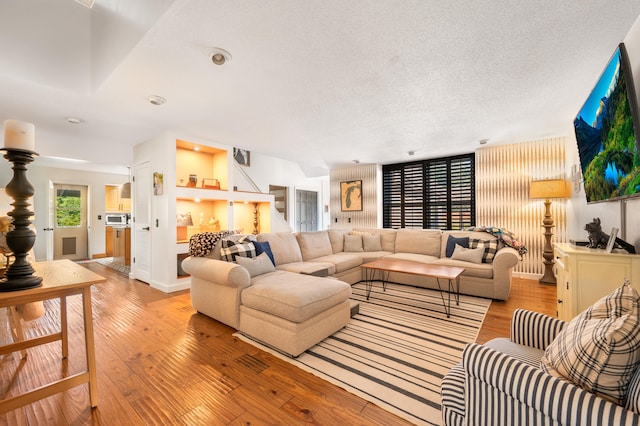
pixel 292 312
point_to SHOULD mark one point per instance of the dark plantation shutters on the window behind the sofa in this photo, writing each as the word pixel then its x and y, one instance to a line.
pixel 430 194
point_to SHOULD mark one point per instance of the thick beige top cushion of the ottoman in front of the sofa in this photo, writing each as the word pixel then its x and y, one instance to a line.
pixel 294 297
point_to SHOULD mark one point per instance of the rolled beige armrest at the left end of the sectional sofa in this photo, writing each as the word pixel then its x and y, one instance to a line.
pixel 217 271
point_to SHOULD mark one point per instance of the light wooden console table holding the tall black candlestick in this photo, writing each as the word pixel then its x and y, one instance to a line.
pixel 60 278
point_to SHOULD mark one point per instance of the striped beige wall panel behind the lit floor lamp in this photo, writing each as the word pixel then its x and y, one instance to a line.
pixel 503 174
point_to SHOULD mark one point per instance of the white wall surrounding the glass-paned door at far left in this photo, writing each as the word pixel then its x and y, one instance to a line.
pixel 39 177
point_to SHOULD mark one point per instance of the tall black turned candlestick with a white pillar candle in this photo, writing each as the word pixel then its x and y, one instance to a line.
pixel 19 143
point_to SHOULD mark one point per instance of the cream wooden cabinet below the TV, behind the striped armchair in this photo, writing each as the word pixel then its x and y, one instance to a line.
pixel 586 275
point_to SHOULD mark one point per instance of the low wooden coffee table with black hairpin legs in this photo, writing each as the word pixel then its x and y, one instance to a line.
pixel 386 266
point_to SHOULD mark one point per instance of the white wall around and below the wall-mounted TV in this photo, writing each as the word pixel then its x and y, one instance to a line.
pixel 578 211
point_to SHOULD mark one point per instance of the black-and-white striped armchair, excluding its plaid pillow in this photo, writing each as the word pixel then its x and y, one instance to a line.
pixel 501 383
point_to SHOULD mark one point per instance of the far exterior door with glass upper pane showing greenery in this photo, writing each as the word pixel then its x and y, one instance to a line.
pixel 70 232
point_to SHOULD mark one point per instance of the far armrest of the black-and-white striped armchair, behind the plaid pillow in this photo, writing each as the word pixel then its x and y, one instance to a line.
pixel 534 329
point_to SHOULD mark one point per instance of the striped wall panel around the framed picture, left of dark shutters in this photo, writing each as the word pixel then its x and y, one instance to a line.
pixel 371 189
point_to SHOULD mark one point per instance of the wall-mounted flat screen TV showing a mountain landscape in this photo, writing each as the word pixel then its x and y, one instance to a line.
pixel 606 131
